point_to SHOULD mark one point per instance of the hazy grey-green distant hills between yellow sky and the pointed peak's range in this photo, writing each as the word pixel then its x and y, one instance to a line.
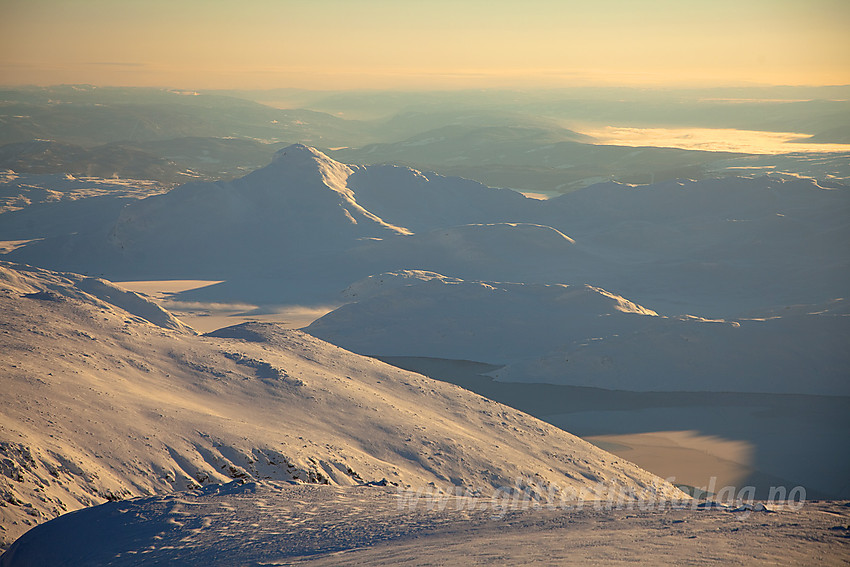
pixel 524 141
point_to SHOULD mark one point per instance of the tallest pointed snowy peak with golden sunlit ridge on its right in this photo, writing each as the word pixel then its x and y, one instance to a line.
pixel 300 204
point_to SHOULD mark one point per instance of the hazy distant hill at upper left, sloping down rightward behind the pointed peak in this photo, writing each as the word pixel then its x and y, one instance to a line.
pixel 91 116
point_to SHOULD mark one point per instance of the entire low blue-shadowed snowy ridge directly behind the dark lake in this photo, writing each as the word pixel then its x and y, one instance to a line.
pixel 585 336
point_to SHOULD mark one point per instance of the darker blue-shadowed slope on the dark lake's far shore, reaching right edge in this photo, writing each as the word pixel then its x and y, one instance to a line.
pixel 804 353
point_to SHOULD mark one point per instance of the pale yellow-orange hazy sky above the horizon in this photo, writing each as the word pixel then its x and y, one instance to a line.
pixel 424 44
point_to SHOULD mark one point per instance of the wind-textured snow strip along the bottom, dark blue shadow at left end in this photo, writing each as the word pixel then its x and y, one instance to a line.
pixel 274 523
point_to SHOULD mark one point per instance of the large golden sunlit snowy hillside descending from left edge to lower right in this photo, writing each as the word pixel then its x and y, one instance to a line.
pixel 106 396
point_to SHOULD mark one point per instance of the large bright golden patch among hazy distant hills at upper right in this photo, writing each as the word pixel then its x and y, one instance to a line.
pixel 712 139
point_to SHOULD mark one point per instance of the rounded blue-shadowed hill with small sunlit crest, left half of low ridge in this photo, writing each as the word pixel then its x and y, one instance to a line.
pixel 425 314
